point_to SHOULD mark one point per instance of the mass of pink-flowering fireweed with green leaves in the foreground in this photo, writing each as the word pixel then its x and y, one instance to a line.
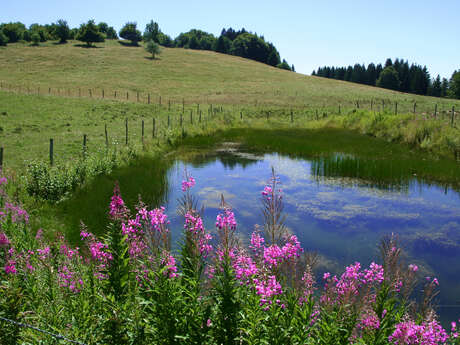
pixel 129 288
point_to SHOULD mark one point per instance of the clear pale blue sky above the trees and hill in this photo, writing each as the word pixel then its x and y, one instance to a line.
pixel 307 33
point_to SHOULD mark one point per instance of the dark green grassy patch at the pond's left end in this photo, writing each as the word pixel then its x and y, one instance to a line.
pixel 146 178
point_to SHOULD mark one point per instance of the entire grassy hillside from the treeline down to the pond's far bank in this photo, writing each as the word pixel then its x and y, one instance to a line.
pixel 28 121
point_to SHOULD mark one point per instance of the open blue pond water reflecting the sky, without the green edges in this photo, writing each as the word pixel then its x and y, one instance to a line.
pixel 341 218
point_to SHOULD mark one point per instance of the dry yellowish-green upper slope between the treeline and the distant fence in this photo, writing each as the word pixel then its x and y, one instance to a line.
pixel 177 74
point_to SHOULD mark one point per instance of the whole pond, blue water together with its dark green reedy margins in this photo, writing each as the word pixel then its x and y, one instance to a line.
pixel 340 200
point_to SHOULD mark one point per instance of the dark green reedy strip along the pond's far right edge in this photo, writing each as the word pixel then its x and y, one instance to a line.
pixel 381 164
